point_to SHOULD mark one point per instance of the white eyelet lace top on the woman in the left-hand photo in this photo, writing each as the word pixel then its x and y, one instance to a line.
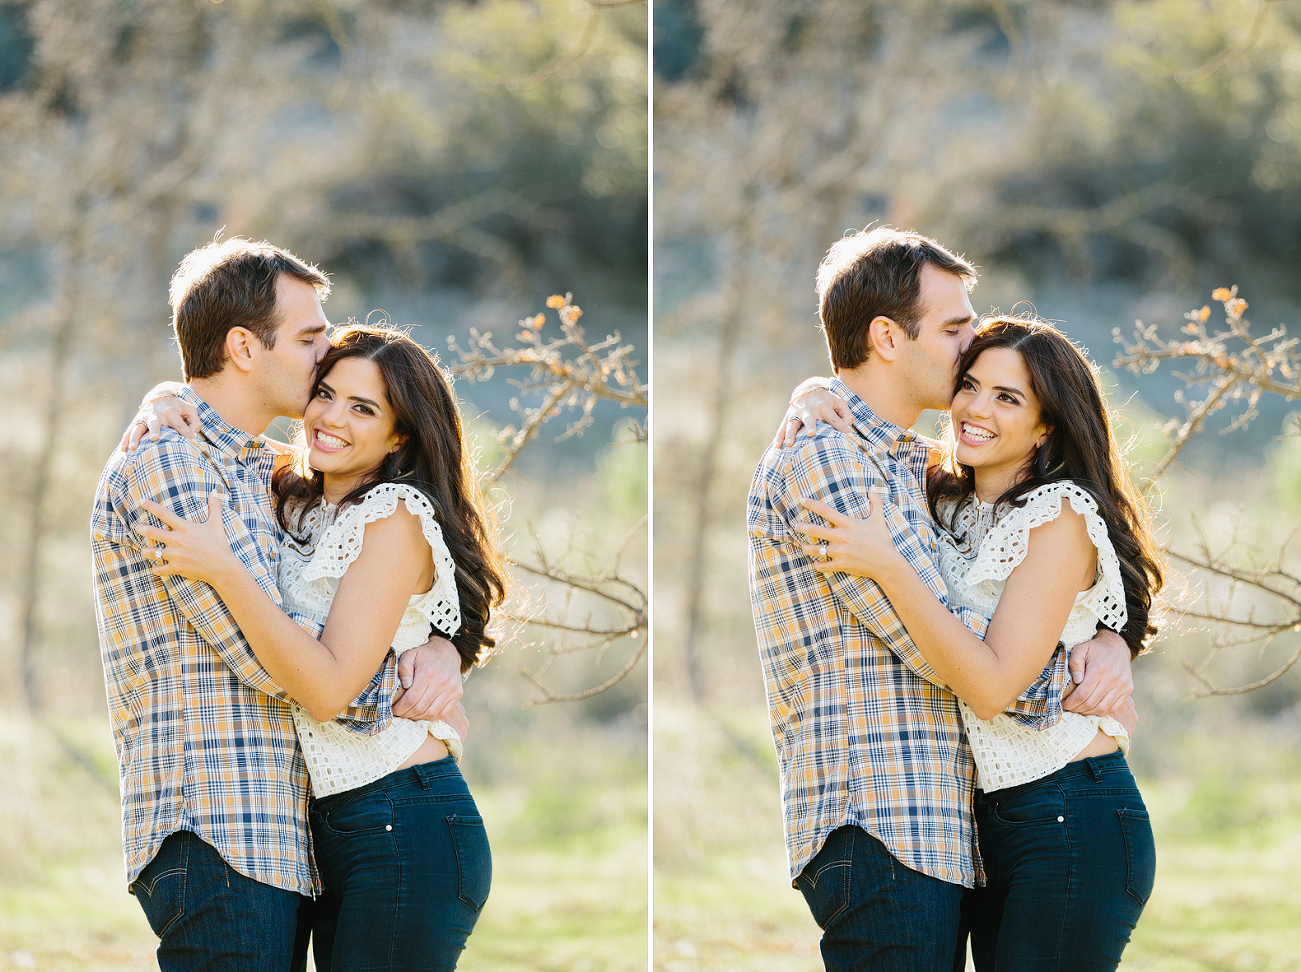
pixel 338 758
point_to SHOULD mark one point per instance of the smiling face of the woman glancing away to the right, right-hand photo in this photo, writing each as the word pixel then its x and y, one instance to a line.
pixel 996 421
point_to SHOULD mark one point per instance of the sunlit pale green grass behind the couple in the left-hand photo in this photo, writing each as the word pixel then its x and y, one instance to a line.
pixel 569 858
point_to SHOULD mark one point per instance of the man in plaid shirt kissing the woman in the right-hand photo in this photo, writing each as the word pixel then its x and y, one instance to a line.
pixel 878 779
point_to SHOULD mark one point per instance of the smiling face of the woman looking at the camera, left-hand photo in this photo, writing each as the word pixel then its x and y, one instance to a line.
pixel 349 426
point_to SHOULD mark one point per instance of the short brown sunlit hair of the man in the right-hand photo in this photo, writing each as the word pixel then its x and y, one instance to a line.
pixel 878 274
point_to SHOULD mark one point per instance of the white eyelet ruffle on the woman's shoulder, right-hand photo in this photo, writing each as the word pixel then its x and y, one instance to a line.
pixel 1008 543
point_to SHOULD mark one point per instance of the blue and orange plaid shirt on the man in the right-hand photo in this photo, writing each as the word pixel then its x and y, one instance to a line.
pixel 866 733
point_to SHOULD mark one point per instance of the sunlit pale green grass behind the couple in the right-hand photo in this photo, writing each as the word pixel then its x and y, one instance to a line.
pixel 1229 835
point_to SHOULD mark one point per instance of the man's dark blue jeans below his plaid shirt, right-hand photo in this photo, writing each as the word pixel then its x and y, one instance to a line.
pixel 876 914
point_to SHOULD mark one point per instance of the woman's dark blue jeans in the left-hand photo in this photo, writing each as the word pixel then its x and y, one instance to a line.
pixel 407 869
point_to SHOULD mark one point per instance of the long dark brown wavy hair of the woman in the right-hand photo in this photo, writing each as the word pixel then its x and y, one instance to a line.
pixel 1080 448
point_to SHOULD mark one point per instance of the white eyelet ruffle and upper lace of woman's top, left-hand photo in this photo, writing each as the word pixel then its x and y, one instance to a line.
pixel 339 543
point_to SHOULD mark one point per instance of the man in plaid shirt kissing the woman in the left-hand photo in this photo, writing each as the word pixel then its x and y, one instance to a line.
pixel 214 781
